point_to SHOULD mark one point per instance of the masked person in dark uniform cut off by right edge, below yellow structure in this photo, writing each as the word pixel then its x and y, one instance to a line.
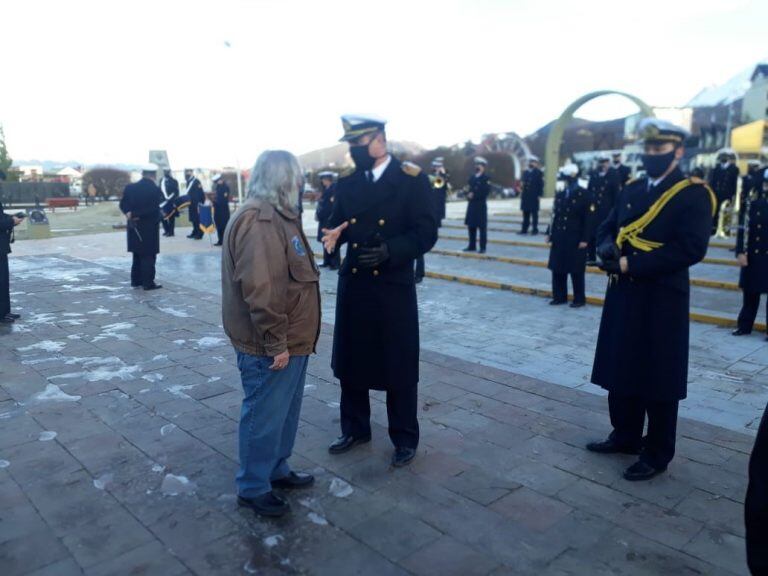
pixel 752 252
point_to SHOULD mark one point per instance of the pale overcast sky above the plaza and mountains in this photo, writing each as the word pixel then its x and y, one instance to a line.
pixel 216 82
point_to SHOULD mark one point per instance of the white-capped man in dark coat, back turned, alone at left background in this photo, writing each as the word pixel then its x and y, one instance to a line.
pixel 141 205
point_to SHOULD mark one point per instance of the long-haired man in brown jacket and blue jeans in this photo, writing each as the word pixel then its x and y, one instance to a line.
pixel 271 312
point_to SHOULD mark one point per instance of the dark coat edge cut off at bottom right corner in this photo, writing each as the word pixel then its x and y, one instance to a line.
pixel 756 503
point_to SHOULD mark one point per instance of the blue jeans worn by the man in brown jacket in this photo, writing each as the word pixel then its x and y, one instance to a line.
pixel 268 420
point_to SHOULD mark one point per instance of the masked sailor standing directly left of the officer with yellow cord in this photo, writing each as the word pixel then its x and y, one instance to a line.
pixel 568 235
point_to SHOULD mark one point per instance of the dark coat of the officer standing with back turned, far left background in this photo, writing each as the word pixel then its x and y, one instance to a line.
pixel 143 200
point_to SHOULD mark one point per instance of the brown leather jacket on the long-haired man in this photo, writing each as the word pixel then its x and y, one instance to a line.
pixel 269 283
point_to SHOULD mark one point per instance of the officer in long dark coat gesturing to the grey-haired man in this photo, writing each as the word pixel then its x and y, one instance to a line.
pixel 384 213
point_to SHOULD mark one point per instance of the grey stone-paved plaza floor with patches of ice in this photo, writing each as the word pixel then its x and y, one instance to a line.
pixel 118 414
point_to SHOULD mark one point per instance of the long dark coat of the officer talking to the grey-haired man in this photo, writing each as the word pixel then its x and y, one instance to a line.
pixel 376 336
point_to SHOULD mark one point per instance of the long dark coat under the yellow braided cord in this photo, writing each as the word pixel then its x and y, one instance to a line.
pixel 642 346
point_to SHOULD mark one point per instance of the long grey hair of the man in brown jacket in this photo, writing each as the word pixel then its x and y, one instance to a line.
pixel 276 178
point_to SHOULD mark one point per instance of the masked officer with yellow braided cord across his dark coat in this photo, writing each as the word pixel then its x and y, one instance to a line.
pixel 657 230
